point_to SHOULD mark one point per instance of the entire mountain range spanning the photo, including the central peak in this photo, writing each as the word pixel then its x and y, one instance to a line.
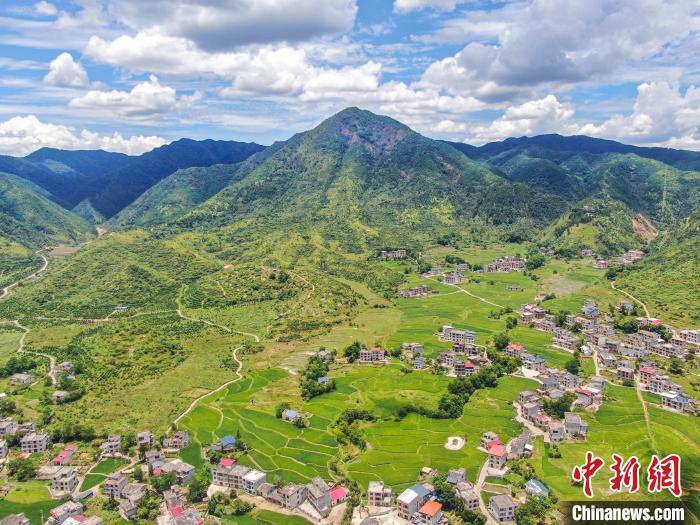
pixel 364 180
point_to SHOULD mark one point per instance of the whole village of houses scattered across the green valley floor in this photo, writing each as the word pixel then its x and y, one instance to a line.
pixel 152 474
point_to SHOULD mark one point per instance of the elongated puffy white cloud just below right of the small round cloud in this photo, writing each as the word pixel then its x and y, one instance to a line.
pixel 145 99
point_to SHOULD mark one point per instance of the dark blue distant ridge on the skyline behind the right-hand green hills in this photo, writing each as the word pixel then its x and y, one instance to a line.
pixel 682 159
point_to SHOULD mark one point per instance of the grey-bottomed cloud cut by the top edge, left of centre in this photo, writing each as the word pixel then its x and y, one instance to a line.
pixel 225 24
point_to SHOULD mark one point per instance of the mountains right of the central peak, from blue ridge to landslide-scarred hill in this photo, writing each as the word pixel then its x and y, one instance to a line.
pixel 578 169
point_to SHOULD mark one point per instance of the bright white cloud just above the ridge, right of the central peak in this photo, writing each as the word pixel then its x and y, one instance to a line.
pixel 545 115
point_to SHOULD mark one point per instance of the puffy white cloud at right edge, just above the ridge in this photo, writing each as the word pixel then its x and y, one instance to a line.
pixel 662 115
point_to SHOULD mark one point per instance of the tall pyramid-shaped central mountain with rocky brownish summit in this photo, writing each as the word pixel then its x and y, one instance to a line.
pixel 365 180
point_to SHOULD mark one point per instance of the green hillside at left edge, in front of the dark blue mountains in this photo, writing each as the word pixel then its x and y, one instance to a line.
pixel 29 217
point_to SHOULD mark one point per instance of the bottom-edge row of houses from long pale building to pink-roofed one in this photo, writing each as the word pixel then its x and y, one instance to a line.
pixel 315 499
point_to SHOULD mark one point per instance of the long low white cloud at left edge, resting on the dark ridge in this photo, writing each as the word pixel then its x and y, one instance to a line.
pixel 23 134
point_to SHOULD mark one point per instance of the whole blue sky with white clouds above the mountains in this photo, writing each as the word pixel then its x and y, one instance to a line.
pixel 131 75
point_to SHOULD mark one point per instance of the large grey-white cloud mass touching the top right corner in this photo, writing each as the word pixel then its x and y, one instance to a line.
pixel 544 44
